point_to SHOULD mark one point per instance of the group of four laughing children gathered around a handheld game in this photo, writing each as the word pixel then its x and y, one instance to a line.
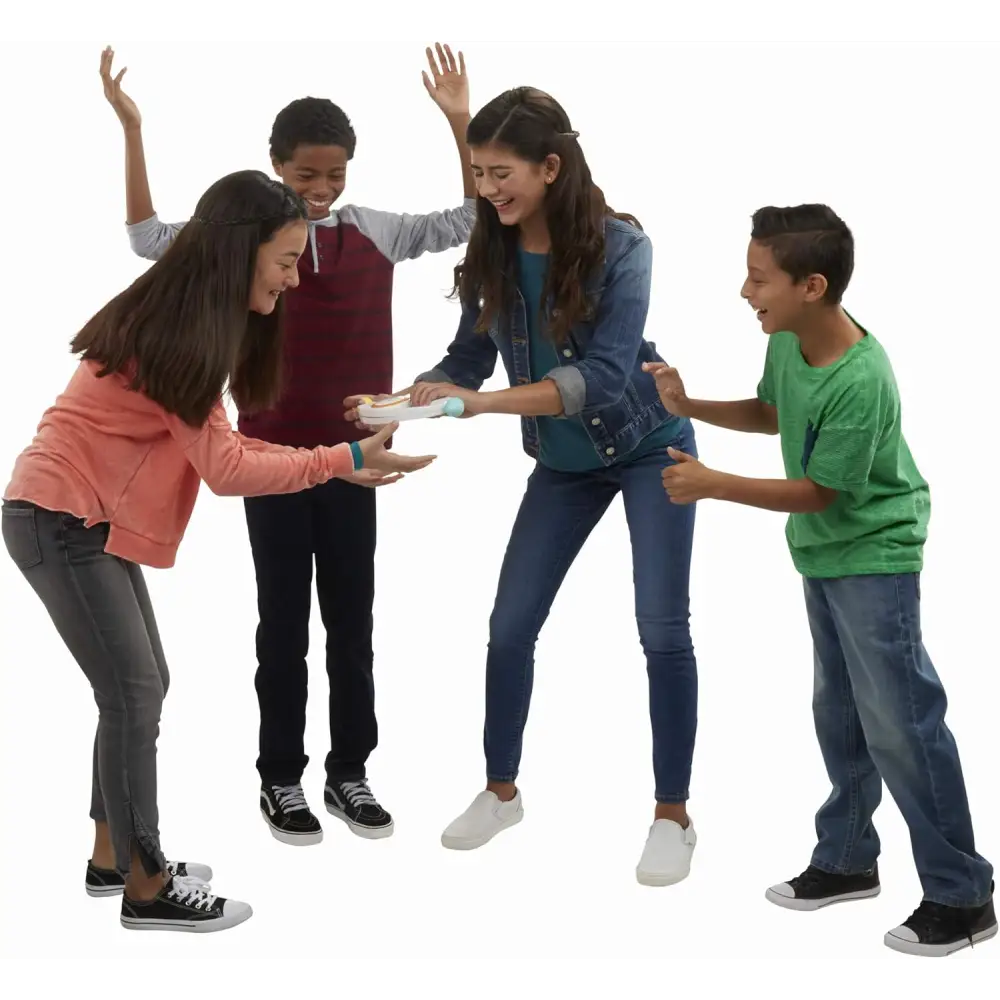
pixel 556 286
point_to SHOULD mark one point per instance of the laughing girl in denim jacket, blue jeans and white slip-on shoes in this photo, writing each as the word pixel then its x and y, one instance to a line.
pixel 558 286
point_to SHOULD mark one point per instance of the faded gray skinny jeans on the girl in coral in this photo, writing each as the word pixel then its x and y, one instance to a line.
pixel 100 606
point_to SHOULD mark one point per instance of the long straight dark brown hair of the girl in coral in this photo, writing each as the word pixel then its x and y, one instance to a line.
pixel 183 331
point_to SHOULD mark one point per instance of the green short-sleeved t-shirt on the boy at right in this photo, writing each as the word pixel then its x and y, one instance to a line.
pixel 841 426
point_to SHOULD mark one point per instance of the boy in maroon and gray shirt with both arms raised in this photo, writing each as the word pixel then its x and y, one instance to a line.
pixel 338 336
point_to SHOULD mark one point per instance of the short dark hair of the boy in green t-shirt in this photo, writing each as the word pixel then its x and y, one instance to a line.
pixel 808 239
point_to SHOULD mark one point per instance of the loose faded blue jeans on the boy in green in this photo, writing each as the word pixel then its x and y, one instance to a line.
pixel 879 709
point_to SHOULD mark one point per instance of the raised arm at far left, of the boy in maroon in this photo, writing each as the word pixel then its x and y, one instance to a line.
pixel 148 237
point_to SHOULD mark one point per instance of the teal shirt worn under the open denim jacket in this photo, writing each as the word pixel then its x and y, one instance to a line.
pixel 565 445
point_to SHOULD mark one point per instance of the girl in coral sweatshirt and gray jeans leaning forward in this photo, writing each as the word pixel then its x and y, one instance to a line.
pixel 109 483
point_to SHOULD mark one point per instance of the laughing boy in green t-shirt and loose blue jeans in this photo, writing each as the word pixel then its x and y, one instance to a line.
pixel 858 512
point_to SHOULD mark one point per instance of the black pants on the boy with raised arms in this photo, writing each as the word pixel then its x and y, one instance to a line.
pixel 334 524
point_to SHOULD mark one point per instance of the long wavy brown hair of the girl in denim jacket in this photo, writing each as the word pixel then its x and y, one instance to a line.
pixel 533 125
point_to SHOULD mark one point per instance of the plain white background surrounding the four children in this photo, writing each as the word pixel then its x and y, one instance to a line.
pixel 898 137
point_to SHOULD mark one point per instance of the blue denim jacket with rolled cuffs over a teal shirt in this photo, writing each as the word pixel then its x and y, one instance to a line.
pixel 600 375
